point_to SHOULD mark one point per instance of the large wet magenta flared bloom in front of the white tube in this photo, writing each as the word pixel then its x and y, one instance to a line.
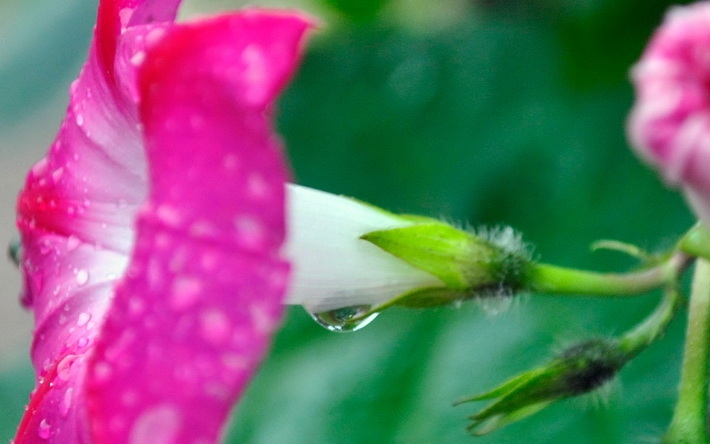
pixel 152 231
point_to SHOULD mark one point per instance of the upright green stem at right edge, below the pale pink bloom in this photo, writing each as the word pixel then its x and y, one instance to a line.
pixel 689 424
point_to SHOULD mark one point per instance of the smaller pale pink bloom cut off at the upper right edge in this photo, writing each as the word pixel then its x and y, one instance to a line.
pixel 669 125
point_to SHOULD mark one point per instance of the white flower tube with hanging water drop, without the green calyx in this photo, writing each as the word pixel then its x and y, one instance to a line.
pixel 337 277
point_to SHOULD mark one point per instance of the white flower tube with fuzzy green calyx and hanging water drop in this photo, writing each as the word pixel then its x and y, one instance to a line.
pixel 352 260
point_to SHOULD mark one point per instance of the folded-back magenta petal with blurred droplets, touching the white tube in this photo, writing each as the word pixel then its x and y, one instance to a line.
pixel 203 292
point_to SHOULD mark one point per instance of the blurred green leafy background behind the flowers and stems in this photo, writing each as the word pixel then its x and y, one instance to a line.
pixel 482 112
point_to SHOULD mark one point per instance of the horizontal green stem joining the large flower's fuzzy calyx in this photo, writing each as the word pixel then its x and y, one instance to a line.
pixel 551 279
